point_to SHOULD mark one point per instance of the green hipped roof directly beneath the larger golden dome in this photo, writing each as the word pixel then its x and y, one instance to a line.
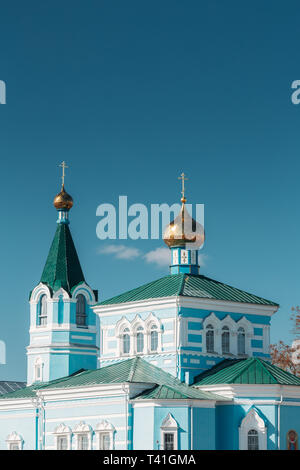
pixel 188 285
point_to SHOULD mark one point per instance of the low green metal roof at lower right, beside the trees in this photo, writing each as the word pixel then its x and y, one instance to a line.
pixel 246 371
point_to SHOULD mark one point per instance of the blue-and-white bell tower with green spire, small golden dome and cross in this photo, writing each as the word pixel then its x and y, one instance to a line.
pixel 63 330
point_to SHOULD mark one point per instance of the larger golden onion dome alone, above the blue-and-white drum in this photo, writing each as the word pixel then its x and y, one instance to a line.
pixel 183 230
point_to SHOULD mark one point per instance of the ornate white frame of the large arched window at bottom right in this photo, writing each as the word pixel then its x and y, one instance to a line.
pixel 252 421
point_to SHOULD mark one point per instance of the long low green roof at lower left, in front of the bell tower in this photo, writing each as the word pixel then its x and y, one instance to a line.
pixel 130 370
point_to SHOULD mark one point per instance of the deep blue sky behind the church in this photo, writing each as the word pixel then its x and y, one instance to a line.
pixel 131 94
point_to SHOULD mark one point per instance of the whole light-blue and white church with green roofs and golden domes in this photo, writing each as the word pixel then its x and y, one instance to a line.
pixel 181 362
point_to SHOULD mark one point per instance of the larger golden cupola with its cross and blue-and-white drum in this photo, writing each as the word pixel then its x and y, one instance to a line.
pixel 184 236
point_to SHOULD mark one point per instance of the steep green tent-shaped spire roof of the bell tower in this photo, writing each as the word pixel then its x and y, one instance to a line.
pixel 62 268
